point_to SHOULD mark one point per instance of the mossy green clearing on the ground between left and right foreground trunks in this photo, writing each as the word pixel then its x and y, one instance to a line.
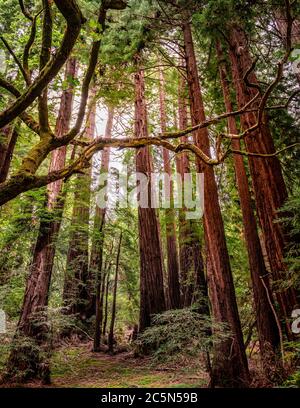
pixel 78 366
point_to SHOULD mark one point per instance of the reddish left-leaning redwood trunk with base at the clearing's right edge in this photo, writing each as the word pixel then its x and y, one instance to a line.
pixel 230 363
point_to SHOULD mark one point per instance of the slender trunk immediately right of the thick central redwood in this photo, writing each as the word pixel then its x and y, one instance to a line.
pixel 172 254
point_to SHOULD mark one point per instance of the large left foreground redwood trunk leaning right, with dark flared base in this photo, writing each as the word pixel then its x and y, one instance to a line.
pixel 37 286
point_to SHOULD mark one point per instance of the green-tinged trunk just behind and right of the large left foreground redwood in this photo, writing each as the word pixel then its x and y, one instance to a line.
pixel 75 295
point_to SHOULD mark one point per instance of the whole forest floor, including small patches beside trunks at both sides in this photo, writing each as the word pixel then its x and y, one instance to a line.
pixel 74 365
